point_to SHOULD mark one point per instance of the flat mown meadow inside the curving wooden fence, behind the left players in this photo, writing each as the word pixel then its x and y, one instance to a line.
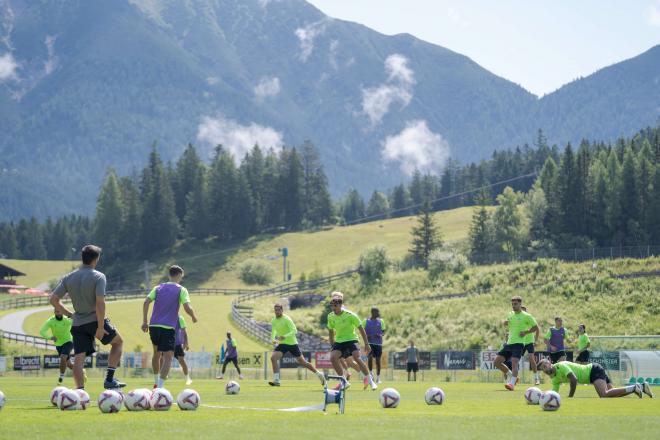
pixel 213 313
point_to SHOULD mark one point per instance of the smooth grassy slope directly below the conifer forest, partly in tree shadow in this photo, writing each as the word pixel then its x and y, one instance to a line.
pixel 328 251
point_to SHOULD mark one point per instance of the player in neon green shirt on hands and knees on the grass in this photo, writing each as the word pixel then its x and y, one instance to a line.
pixel 569 372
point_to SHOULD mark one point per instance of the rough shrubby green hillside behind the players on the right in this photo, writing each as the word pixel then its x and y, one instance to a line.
pixel 577 292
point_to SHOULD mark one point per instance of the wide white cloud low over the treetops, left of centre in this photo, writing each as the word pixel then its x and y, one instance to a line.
pixel 237 138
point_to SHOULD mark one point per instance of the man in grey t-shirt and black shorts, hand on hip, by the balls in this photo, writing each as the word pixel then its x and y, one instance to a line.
pixel 86 288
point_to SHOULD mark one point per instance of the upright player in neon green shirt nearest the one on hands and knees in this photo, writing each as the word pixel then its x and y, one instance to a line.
pixel 520 324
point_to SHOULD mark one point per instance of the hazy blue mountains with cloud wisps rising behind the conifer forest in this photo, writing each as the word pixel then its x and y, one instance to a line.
pixel 88 84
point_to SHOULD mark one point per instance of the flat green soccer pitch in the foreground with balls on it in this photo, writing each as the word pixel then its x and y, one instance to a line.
pixel 470 411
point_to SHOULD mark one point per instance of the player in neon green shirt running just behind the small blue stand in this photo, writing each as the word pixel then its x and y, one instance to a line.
pixel 342 324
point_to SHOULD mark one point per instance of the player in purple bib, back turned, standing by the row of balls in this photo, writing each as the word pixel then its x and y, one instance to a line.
pixel 167 299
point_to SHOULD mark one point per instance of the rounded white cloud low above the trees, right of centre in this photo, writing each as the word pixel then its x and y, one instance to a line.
pixel 416 147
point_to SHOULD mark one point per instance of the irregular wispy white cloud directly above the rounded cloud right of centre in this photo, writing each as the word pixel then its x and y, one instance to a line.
pixel 376 101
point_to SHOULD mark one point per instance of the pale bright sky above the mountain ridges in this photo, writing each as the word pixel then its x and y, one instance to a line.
pixel 540 45
